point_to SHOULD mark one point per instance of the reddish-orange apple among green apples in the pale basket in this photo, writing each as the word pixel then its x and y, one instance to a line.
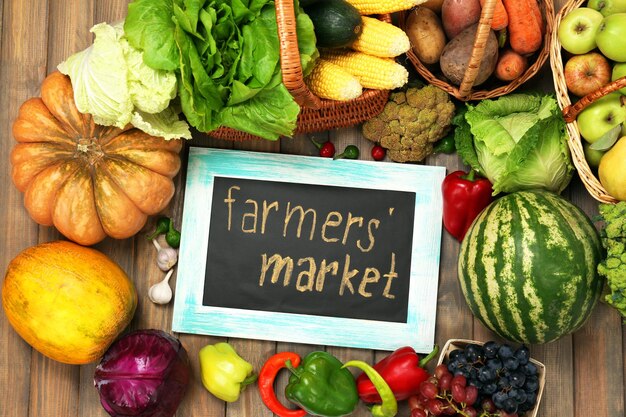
pixel 586 73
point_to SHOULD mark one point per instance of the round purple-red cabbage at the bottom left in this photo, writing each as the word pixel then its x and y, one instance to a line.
pixel 144 374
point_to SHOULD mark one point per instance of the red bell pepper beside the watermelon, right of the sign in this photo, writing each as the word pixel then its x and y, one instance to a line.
pixel 464 196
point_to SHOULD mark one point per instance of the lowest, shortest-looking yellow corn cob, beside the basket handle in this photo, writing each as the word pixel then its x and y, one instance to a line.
pixel 330 81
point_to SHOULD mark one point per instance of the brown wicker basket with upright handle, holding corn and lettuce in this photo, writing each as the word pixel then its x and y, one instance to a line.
pixel 316 114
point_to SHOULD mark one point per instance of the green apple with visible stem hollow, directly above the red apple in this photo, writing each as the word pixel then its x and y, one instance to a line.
pixel 577 31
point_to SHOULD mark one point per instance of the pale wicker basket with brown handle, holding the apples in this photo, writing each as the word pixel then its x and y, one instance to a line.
pixel 570 111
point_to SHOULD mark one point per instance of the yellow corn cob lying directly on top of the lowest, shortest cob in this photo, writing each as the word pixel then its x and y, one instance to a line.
pixel 371 71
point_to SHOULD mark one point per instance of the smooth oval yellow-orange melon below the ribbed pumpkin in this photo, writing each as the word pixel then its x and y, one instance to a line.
pixel 67 301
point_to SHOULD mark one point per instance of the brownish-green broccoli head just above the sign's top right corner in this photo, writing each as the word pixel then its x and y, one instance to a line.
pixel 411 122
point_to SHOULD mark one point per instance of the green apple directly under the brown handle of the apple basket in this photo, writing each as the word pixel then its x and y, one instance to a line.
pixel 601 116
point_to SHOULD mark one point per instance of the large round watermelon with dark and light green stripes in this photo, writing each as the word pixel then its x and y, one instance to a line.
pixel 527 267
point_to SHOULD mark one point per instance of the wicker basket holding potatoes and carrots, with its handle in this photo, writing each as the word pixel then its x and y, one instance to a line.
pixel 491 88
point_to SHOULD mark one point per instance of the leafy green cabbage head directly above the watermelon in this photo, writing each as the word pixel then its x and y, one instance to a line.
pixel 518 142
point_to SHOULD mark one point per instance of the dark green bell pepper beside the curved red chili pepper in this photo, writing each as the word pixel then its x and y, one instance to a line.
pixel 321 386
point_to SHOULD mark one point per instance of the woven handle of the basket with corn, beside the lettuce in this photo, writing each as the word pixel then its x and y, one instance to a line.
pixel 290 65
